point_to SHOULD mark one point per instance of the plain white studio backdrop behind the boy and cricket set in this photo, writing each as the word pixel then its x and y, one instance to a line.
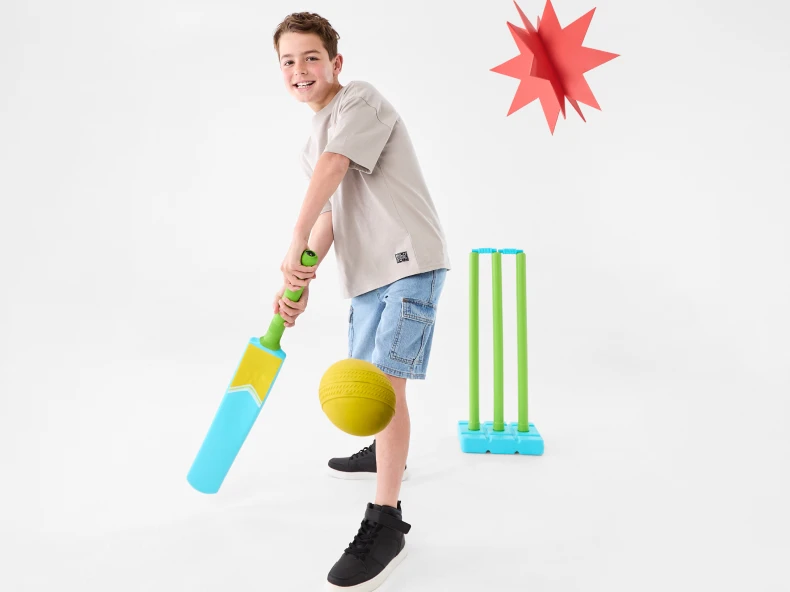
pixel 149 180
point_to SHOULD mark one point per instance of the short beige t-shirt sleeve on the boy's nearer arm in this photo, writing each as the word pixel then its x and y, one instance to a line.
pixel 359 134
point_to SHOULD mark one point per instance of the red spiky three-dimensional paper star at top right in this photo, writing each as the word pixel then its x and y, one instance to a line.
pixel 552 64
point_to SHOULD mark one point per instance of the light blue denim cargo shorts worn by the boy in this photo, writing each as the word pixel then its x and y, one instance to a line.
pixel 392 327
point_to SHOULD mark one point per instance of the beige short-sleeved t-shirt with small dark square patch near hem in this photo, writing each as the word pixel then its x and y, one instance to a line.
pixel 384 221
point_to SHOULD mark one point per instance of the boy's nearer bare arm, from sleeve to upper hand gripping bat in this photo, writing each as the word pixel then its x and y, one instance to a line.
pixel 327 175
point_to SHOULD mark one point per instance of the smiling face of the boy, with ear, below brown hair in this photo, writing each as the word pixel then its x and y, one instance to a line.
pixel 308 73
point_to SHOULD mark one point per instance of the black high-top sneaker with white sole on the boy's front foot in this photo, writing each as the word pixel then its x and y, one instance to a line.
pixel 377 549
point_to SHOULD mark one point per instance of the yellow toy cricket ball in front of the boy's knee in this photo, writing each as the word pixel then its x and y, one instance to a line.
pixel 357 397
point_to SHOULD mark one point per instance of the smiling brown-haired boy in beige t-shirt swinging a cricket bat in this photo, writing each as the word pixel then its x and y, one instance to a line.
pixel 366 195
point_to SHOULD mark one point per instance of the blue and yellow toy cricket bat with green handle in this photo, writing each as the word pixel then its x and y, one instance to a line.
pixel 240 406
